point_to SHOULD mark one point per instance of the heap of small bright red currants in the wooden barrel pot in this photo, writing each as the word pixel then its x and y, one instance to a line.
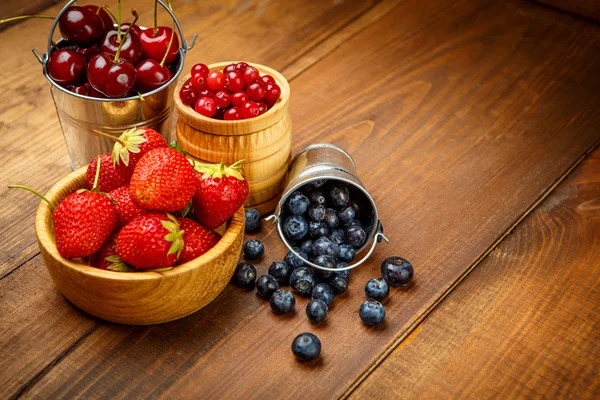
pixel 237 92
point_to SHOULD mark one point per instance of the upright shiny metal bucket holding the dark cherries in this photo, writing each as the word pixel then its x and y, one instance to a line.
pixel 79 114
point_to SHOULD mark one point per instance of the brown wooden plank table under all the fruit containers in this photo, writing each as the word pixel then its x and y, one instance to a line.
pixel 473 124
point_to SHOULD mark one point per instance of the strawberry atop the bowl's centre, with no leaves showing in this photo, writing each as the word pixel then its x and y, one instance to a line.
pixel 163 180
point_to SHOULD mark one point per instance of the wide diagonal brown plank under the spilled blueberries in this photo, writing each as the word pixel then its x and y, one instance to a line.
pixel 472 110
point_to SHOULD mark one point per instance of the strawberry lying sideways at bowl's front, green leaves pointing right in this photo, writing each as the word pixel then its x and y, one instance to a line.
pixel 151 241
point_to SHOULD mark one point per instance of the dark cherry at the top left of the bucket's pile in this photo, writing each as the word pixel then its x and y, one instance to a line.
pixel 81 26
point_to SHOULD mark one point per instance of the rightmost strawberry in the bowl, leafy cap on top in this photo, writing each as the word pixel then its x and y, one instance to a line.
pixel 221 192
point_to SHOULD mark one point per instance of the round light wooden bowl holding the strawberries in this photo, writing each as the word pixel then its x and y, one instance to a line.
pixel 138 298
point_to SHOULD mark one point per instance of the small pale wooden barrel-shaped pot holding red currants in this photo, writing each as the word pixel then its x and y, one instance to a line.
pixel 264 142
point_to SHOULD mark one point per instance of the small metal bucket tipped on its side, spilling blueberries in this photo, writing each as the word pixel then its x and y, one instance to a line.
pixel 328 162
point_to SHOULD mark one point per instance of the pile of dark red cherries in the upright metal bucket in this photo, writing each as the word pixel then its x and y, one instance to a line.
pixel 100 59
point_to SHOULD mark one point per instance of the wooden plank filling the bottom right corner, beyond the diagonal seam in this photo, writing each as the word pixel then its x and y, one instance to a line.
pixel 525 323
